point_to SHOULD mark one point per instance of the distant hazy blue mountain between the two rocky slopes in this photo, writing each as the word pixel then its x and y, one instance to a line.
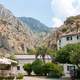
pixel 36 26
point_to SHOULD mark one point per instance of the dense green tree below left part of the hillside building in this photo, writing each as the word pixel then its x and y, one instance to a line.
pixel 63 55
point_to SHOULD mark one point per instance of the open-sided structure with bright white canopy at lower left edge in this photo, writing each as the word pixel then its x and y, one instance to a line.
pixel 7 67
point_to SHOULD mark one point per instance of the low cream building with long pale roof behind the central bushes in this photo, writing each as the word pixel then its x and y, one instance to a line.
pixel 24 59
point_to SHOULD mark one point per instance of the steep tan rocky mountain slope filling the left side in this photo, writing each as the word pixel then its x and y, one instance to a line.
pixel 15 37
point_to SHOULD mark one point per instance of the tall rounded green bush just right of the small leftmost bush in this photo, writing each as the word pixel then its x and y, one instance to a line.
pixel 37 67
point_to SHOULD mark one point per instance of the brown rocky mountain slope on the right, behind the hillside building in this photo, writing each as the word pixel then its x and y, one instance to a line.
pixel 71 25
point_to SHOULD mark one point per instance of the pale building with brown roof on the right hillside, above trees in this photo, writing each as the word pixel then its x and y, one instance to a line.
pixel 69 38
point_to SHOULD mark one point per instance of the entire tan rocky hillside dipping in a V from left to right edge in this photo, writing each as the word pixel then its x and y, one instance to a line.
pixel 16 37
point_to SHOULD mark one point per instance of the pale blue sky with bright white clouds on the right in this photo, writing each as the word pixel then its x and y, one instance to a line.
pixel 50 12
